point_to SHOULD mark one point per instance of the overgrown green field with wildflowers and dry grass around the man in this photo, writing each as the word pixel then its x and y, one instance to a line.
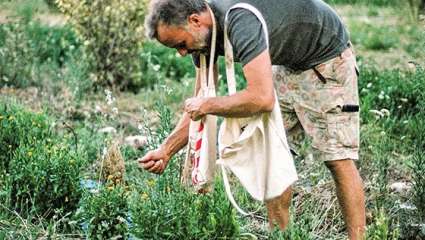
pixel 73 91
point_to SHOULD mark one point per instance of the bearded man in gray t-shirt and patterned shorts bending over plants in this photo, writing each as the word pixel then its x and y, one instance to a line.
pixel 309 62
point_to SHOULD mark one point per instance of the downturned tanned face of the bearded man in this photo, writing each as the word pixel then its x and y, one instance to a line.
pixel 185 39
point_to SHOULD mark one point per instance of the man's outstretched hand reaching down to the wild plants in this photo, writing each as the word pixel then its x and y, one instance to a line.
pixel 155 161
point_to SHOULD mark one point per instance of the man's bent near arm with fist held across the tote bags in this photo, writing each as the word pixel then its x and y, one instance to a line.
pixel 256 98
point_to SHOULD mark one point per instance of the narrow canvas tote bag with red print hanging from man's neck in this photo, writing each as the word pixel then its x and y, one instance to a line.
pixel 201 152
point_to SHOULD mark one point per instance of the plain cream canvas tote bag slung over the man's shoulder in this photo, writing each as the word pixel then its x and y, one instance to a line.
pixel 255 149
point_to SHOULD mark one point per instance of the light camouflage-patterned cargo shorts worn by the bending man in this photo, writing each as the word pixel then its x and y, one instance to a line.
pixel 322 104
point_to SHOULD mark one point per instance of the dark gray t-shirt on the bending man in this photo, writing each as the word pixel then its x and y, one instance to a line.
pixel 302 33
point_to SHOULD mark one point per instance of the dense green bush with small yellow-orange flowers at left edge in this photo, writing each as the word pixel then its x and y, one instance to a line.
pixel 40 172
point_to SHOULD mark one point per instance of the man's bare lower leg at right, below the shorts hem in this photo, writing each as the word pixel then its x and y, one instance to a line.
pixel 349 189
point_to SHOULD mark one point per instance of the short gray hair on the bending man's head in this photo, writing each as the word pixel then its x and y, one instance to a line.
pixel 170 12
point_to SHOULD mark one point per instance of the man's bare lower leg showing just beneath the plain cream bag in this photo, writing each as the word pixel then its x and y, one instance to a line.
pixel 278 209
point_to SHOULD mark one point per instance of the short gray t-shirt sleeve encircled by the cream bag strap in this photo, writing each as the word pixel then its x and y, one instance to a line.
pixel 246 35
